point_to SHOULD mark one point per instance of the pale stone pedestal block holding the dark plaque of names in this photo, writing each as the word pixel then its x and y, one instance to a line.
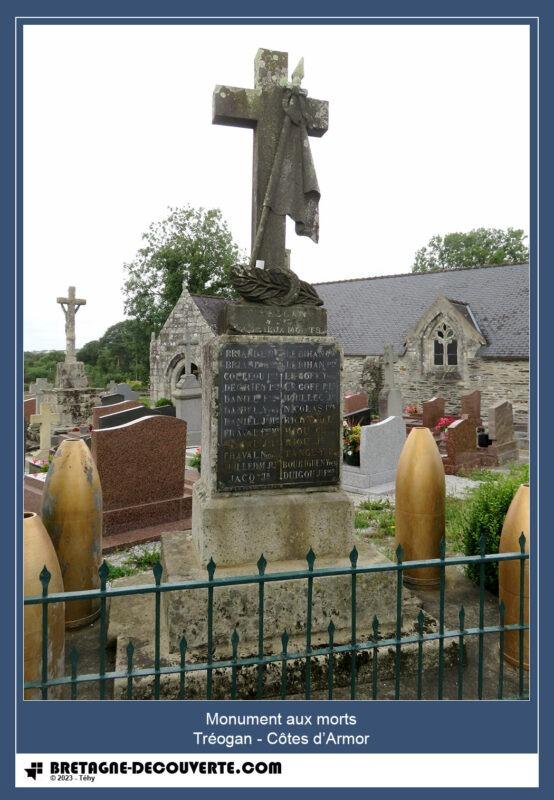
pixel 271 451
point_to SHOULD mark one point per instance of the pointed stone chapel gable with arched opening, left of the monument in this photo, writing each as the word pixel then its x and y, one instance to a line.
pixel 167 352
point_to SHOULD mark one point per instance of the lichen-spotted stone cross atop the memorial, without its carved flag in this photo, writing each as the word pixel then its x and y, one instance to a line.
pixel 261 109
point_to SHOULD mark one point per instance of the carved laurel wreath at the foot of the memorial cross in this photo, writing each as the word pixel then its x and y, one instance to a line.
pixel 273 287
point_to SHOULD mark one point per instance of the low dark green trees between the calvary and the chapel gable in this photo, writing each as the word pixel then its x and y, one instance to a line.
pixel 122 354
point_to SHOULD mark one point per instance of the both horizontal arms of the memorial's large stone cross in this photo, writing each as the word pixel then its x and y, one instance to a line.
pixel 241 108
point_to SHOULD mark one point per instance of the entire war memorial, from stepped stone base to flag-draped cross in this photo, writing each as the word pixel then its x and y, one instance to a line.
pixel 270 482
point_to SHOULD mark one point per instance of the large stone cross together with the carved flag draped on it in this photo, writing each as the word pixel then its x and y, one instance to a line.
pixel 282 117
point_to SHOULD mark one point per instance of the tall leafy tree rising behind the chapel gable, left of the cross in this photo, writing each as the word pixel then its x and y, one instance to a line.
pixel 192 245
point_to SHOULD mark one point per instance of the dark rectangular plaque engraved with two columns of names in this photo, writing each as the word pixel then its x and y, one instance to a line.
pixel 279 416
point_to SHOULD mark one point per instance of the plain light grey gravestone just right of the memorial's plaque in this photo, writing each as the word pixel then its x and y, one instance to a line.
pixel 380 448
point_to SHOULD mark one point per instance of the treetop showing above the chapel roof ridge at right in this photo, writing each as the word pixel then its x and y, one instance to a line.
pixel 476 248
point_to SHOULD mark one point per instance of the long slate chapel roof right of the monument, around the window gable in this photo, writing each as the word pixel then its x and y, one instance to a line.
pixel 366 313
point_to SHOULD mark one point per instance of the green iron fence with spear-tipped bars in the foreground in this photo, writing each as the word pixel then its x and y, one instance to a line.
pixel 309 653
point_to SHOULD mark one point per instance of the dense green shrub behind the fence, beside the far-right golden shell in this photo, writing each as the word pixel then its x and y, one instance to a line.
pixel 483 514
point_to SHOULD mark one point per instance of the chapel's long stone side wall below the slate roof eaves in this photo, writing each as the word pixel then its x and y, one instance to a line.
pixel 496 380
